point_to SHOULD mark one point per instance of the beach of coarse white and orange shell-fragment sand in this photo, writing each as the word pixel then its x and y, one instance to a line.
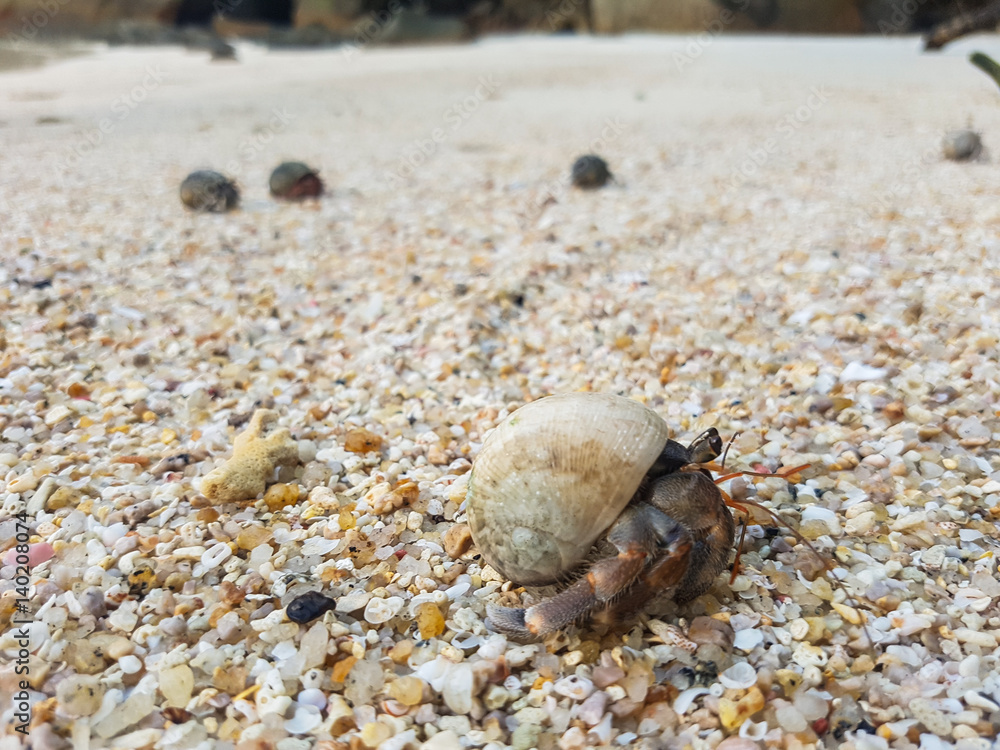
pixel 783 253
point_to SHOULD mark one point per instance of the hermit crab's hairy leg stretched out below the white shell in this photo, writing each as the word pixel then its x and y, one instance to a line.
pixel 638 534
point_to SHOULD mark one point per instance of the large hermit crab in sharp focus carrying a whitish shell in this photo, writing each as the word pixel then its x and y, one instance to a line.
pixel 589 488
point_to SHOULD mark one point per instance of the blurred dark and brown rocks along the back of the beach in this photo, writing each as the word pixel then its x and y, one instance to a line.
pixel 321 22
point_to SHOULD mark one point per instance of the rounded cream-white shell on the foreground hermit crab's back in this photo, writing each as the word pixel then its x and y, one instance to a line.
pixel 553 476
